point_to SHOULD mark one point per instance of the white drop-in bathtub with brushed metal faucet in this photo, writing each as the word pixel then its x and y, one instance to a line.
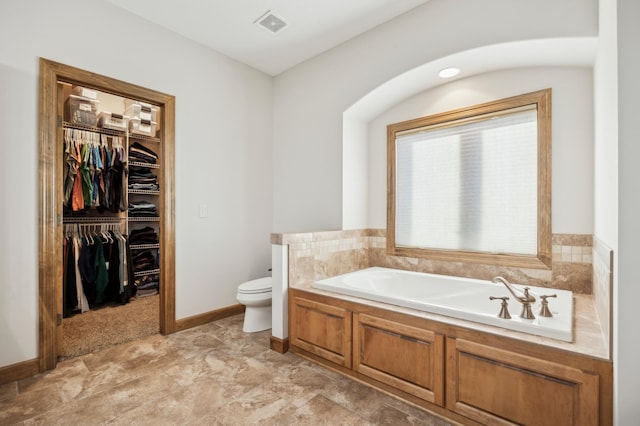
pixel 456 297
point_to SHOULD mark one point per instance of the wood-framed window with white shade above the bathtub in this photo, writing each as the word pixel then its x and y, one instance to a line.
pixel 473 184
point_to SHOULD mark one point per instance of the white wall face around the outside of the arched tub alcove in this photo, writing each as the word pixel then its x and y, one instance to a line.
pixel 309 99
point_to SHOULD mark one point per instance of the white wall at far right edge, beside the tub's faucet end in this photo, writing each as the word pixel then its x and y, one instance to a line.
pixel 617 208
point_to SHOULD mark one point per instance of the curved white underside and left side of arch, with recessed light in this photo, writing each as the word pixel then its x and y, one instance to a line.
pixel 567 52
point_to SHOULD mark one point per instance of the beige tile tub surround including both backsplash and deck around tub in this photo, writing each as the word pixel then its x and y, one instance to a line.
pixel 318 255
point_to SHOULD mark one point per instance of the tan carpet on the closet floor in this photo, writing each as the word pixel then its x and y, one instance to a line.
pixel 110 325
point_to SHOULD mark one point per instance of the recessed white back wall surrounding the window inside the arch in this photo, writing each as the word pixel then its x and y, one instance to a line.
pixel 572 135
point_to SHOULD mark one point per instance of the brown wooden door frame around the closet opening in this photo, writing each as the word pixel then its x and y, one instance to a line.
pixel 50 197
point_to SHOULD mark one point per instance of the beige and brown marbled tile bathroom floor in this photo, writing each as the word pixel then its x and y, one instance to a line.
pixel 208 375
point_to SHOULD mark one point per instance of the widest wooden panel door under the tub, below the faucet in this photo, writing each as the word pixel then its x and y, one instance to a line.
pixel 495 386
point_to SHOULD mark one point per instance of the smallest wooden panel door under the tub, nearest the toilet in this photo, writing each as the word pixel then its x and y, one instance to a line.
pixel 321 329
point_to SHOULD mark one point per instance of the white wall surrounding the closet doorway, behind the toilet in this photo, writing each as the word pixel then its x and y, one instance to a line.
pixel 223 151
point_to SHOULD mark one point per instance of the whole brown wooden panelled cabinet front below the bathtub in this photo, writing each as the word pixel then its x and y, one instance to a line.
pixel 468 376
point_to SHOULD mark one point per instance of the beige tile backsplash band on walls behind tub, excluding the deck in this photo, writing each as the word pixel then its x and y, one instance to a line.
pixel 318 255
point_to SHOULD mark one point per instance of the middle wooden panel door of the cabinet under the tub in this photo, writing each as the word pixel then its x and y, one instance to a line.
pixel 408 358
